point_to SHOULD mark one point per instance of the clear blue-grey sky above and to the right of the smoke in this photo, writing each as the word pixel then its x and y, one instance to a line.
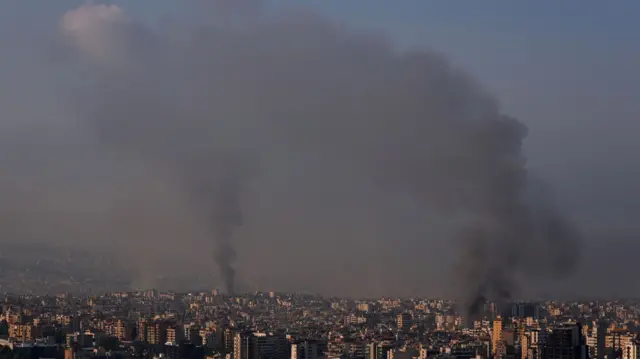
pixel 568 70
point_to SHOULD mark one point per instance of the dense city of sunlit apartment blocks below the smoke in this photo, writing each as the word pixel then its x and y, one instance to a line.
pixel 206 325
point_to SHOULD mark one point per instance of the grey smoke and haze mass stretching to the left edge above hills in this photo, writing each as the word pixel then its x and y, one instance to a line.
pixel 301 155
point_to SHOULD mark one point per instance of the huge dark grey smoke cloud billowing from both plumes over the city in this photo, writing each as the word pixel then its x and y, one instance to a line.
pixel 290 126
